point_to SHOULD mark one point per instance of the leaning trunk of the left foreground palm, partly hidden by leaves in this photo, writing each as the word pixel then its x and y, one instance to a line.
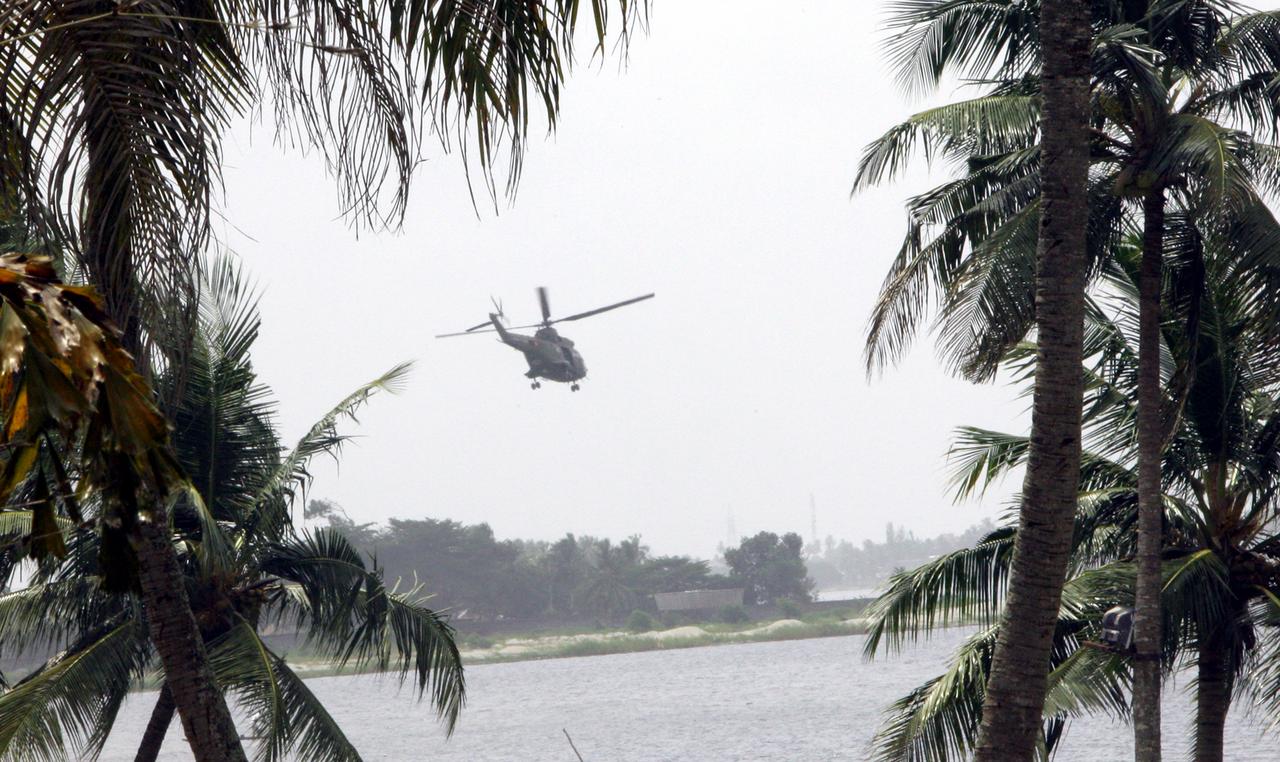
pixel 175 633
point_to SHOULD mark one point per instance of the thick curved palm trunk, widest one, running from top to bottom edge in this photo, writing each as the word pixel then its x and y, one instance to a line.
pixel 1016 692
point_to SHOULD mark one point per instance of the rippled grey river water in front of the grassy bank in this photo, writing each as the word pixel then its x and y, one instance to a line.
pixel 794 701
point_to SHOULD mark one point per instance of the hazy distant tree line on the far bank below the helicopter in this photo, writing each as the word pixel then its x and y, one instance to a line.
pixel 470 572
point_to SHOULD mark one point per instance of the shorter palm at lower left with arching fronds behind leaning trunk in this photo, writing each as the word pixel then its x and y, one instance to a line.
pixel 246 568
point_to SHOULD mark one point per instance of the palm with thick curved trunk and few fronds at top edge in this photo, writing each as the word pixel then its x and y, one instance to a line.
pixel 931 45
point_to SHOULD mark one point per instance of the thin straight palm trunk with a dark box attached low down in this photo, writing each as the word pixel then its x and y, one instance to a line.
pixel 1148 620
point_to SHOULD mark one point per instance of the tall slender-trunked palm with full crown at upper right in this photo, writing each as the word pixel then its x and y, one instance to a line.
pixel 1163 75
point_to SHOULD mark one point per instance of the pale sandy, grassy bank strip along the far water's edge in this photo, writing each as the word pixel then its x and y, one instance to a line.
pixel 601 642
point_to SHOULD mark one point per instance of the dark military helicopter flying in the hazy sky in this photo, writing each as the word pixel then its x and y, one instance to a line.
pixel 550 355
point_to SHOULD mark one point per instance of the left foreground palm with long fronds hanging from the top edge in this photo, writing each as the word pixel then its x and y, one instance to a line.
pixel 112 118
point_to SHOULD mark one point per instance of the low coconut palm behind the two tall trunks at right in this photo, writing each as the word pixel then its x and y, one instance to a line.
pixel 1222 559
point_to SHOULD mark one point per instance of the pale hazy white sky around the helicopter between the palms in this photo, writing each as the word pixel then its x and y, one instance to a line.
pixel 714 171
